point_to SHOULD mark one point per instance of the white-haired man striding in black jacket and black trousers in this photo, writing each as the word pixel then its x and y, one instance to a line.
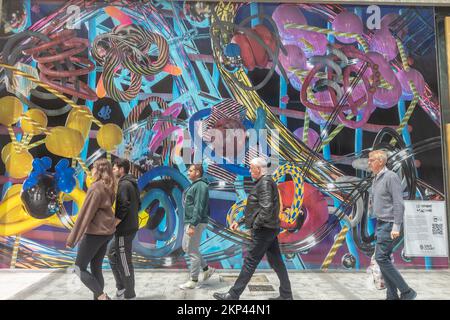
pixel 261 216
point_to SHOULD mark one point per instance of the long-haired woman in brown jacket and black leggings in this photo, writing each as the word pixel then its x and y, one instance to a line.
pixel 95 227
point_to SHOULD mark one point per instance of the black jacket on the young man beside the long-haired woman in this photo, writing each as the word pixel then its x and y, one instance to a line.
pixel 128 203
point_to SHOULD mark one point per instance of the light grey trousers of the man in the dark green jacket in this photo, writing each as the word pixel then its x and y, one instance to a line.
pixel 191 245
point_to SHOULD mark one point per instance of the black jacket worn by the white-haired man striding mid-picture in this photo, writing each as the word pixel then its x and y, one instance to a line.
pixel 263 205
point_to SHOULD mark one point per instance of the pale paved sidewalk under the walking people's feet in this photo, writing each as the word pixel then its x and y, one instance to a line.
pixel 163 284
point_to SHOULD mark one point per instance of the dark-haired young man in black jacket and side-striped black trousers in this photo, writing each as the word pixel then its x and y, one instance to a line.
pixel 127 209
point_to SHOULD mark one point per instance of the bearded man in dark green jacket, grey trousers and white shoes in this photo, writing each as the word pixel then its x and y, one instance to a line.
pixel 196 213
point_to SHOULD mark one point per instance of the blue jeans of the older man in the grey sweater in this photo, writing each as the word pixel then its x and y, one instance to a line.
pixel 383 250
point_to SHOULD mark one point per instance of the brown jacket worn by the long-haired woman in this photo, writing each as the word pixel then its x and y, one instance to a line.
pixel 96 215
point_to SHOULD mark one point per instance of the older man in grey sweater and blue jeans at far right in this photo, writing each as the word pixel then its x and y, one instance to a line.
pixel 387 204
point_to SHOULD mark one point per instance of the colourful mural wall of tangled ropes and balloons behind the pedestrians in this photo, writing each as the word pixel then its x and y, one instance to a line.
pixel 82 80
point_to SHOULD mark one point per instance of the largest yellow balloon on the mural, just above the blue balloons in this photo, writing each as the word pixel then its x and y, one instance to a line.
pixel 64 142
